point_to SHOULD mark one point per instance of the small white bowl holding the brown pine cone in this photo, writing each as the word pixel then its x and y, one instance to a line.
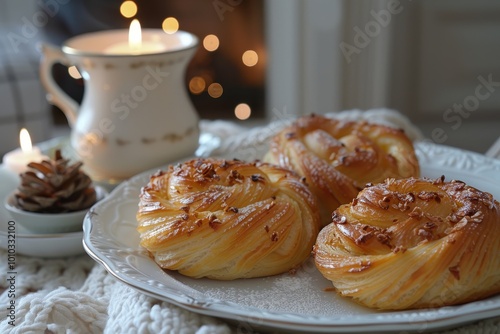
pixel 44 223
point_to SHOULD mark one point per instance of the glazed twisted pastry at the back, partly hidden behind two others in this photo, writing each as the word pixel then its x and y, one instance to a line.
pixel 339 158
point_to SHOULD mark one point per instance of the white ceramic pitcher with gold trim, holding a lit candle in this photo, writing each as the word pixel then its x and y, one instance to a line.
pixel 135 113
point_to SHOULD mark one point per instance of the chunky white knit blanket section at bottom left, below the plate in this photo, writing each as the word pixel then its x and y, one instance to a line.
pixel 76 295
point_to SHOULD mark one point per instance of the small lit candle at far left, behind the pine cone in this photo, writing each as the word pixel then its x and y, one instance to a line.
pixel 18 159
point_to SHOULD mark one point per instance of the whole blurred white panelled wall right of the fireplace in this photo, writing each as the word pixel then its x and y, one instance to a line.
pixel 422 59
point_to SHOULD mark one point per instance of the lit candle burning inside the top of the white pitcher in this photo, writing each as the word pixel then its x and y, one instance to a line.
pixel 135 45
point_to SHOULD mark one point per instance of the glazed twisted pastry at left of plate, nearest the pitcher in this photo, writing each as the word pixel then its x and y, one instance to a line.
pixel 227 219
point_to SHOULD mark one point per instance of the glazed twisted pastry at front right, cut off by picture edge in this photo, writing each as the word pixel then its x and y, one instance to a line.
pixel 413 243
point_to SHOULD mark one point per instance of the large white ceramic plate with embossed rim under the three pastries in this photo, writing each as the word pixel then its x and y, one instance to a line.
pixel 288 302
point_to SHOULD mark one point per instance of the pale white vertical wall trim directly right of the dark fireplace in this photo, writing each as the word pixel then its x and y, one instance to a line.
pixel 304 73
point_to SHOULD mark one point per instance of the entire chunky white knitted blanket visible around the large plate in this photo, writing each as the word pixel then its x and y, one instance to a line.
pixel 76 295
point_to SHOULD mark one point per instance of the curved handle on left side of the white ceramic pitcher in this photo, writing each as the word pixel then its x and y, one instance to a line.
pixel 55 95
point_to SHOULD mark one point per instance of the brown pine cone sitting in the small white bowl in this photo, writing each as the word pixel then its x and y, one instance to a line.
pixel 54 187
